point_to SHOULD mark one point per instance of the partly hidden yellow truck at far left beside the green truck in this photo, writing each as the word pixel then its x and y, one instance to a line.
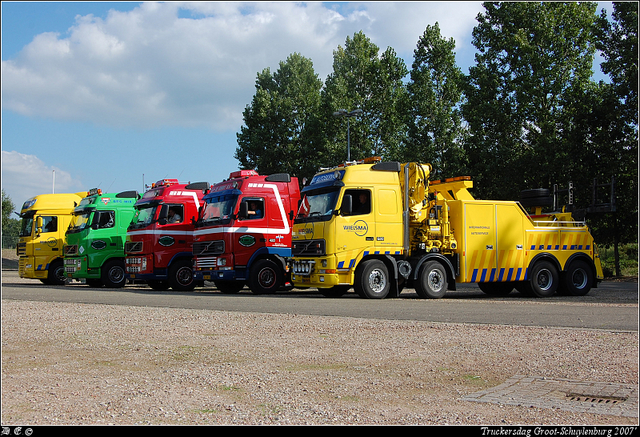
pixel 45 219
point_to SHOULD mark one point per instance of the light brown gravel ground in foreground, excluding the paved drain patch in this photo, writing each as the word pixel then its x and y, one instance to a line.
pixel 80 364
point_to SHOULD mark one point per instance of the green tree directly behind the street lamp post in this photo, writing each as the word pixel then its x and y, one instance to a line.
pixel 363 79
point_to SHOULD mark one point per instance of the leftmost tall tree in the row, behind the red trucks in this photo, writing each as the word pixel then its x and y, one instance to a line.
pixel 281 132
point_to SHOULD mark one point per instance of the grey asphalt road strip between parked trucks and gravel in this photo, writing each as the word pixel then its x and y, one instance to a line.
pixel 611 306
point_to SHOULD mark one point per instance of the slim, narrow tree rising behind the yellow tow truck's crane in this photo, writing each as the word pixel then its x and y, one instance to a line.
pixel 434 120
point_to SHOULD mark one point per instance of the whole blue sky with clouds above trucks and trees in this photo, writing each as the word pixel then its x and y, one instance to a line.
pixel 117 95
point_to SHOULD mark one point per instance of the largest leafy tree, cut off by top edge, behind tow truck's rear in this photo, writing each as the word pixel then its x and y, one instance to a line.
pixel 533 60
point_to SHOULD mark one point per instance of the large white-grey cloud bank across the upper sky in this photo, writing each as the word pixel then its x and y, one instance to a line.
pixel 150 67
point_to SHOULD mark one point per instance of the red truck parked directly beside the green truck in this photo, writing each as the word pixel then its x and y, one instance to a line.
pixel 160 237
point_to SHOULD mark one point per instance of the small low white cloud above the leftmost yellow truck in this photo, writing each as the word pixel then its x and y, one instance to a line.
pixel 25 176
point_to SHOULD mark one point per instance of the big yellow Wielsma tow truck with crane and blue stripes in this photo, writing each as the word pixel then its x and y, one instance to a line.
pixel 380 226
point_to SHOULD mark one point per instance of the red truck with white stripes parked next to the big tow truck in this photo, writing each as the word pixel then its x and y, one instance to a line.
pixel 243 233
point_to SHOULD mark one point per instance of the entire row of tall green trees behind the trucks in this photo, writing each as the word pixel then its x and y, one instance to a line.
pixel 528 115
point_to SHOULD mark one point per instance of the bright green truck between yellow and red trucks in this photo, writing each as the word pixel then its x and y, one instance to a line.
pixel 94 250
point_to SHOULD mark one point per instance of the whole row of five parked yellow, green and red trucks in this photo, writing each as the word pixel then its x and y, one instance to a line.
pixel 373 226
